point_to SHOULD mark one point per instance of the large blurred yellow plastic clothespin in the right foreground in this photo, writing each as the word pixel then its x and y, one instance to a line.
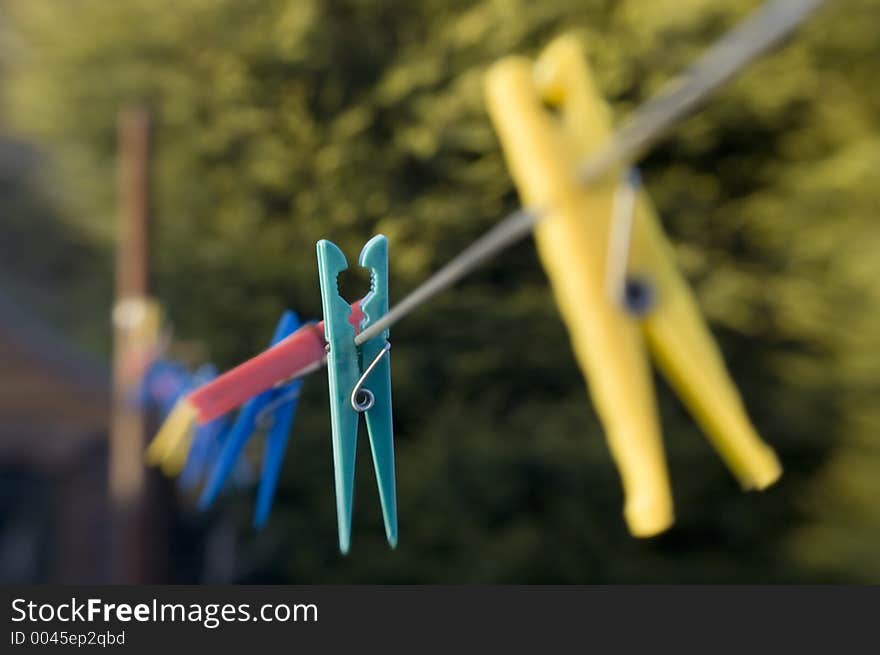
pixel 543 151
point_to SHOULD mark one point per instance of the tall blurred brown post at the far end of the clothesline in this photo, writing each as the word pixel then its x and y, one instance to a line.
pixel 136 334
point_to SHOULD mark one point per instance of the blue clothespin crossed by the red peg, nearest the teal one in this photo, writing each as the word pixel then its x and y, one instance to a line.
pixel 279 403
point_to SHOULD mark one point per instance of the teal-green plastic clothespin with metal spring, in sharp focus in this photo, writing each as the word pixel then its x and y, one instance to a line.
pixel 349 368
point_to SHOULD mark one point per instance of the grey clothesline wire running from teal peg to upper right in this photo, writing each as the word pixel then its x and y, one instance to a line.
pixel 749 39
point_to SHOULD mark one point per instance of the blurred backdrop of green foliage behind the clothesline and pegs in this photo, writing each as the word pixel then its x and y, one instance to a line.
pixel 280 122
